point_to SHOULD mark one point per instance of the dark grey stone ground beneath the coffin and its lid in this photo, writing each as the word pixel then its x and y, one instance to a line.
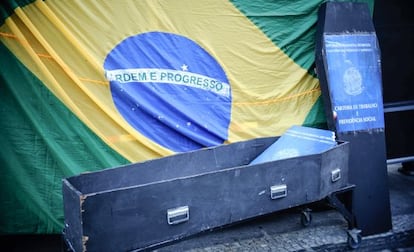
pixel 280 231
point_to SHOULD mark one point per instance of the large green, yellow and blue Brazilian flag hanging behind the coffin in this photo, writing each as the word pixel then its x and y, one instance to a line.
pixel 88 85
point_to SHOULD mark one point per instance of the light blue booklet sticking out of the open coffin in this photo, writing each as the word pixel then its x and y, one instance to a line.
pixel 298 141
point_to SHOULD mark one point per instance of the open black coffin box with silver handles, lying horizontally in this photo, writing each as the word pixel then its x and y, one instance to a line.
pixel 143 205
